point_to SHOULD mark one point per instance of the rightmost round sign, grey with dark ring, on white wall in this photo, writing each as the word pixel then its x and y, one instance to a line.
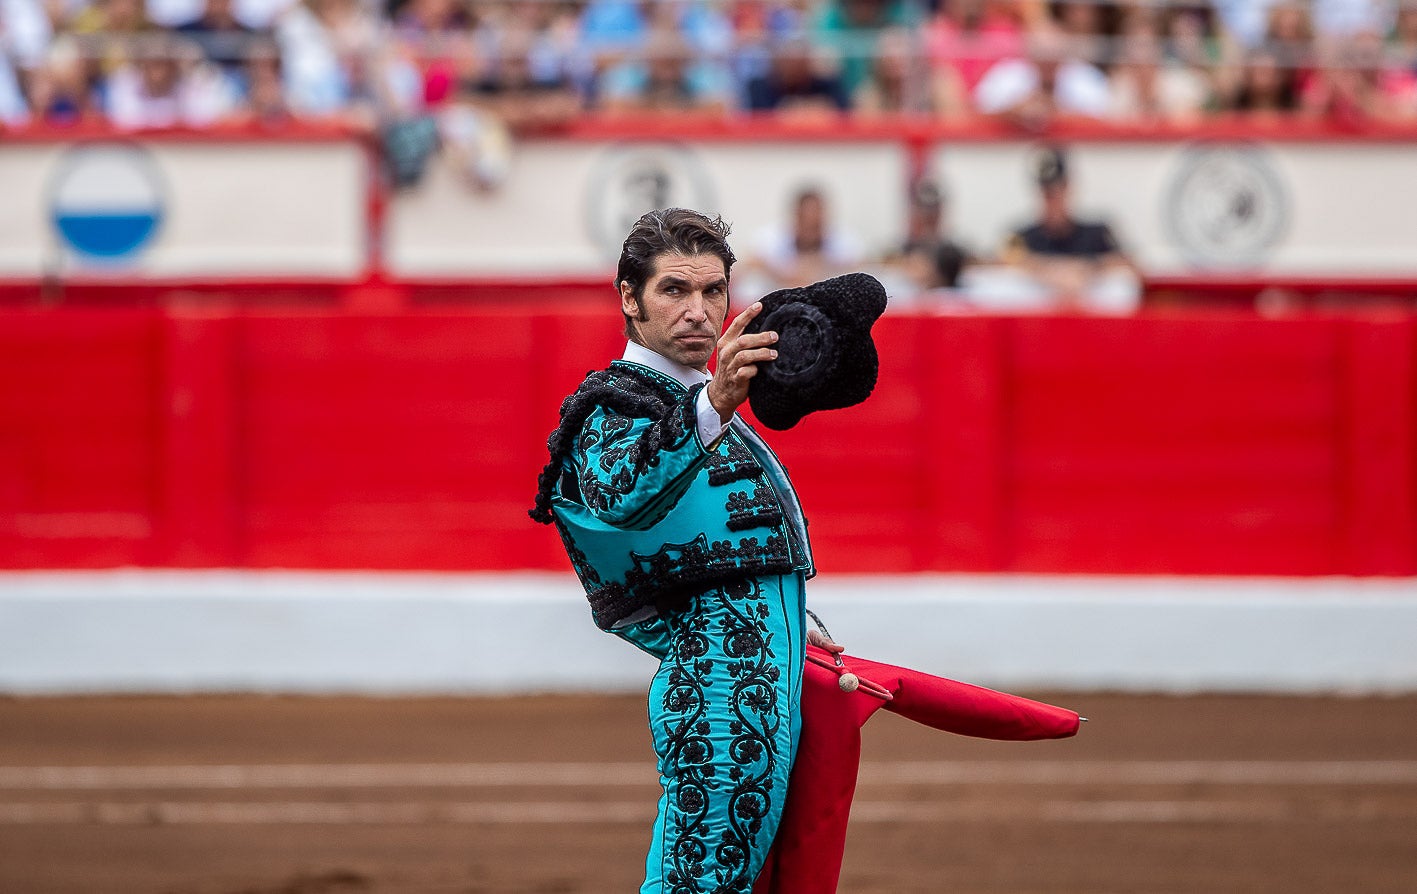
pixel 1226 206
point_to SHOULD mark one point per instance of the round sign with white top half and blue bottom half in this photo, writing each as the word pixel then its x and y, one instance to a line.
pixel 107 200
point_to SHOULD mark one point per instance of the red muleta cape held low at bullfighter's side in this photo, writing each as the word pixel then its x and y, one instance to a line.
pixel 807 855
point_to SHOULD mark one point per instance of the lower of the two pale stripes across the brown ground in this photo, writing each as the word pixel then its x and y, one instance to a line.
pixel 573 814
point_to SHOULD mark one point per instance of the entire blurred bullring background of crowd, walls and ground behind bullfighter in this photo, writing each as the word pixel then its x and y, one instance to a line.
pixel 291 294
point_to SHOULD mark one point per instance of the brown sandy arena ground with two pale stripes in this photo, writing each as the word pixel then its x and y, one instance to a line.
pixel 295 796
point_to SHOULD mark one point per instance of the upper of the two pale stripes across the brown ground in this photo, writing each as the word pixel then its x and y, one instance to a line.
pixel 616 774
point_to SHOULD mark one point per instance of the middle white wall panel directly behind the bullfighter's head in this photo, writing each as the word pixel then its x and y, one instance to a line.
pixel 566 206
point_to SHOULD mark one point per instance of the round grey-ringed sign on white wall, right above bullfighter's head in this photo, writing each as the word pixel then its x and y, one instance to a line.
pixel 633 179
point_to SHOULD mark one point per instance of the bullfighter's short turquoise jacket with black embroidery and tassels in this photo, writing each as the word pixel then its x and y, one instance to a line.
pixel 647 512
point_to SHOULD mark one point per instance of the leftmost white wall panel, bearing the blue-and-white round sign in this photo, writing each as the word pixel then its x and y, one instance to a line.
pixel 242 209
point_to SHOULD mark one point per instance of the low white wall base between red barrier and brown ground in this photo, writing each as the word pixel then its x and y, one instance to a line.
pixel 305 633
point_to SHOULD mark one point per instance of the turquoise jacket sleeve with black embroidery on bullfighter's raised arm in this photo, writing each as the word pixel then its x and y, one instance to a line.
pixel 633 471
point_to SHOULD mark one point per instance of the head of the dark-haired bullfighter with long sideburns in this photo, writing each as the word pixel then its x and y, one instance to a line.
pixel 674 284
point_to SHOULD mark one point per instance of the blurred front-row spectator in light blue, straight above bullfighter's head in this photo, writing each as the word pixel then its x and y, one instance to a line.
pixel 664 77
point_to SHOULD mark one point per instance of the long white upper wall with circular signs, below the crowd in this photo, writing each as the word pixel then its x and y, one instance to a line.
pixel 1321 209
